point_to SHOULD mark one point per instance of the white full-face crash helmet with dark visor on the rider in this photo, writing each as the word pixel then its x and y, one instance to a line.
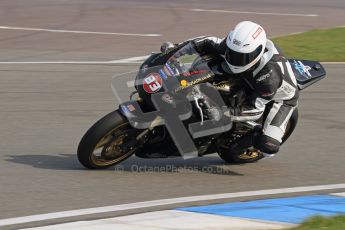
pixel 245 46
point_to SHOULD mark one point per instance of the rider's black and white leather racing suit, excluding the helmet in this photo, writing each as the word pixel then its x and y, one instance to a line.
pixel 271 80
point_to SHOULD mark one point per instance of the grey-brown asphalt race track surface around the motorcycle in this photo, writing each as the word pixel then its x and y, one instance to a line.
pixel 46 108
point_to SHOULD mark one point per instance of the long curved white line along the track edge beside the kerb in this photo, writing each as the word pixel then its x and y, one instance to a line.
pixel 155 203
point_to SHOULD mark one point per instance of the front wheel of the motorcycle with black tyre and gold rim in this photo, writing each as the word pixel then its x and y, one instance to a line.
pixel 108 142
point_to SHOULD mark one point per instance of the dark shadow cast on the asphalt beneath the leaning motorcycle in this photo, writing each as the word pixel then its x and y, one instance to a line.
pixel 207 164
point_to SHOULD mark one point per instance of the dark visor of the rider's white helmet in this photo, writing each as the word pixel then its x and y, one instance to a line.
pixel 241 59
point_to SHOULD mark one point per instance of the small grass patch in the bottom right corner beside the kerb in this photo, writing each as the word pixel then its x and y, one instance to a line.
pixel 327 223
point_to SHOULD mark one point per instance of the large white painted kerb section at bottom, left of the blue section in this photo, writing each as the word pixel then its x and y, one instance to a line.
pixel 167 220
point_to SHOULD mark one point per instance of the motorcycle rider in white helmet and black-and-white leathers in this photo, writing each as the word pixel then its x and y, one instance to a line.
pixel 248 54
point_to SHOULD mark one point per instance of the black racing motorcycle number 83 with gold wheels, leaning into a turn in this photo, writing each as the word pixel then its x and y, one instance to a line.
pixel 175 75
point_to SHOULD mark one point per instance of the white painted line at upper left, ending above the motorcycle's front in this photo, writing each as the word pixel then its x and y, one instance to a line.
pixel 76 31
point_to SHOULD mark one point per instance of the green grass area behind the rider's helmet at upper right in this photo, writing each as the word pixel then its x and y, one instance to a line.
pixel 319 44
